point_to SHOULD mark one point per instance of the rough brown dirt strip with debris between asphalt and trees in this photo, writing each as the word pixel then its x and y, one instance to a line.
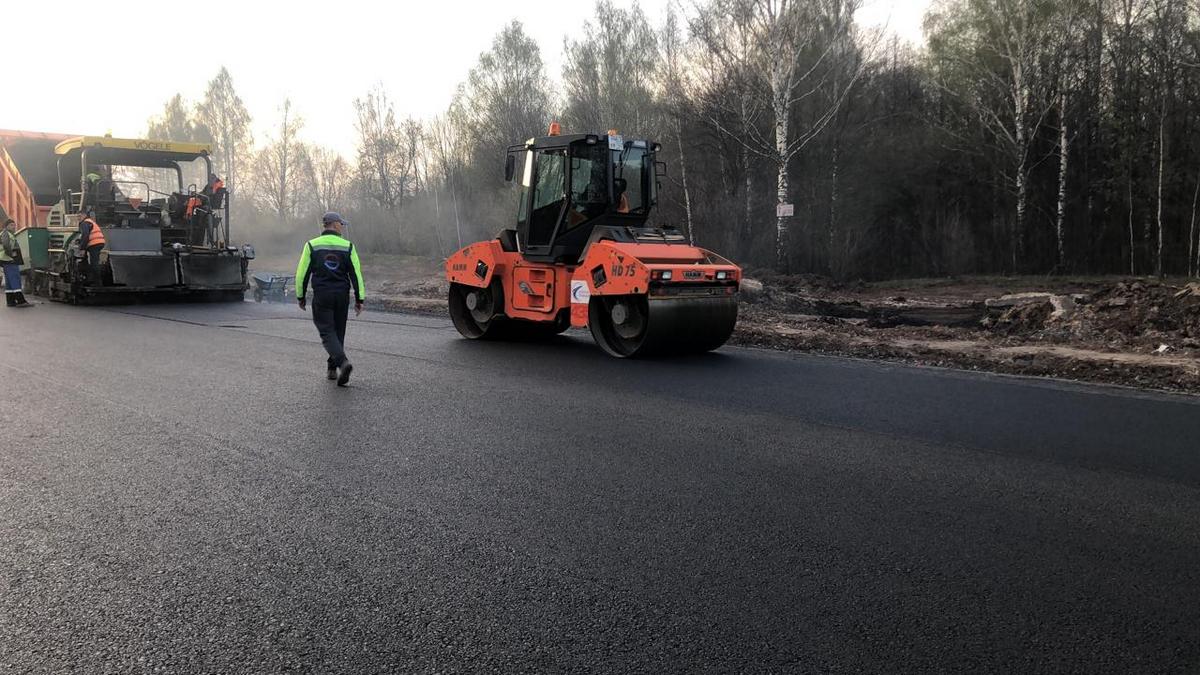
pixel 1136 332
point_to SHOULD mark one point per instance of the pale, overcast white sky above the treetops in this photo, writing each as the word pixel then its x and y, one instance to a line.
pixel 129 58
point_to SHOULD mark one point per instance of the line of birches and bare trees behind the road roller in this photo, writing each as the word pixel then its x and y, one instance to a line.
pixel 1024 138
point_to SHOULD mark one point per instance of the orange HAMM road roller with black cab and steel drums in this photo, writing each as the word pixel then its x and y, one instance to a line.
pixel 585 255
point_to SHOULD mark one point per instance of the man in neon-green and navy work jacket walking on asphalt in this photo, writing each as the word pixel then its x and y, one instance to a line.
pixel 333 266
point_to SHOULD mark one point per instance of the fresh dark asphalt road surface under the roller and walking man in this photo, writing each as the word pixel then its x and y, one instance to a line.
pixel 182 491
